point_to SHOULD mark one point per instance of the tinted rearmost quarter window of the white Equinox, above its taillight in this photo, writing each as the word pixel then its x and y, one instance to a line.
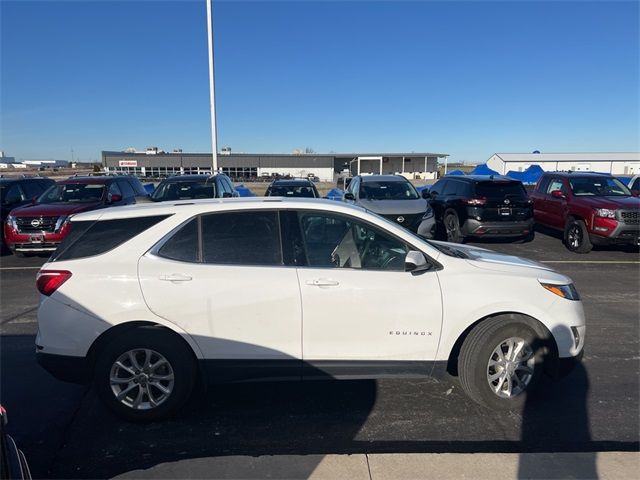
pixel 90 238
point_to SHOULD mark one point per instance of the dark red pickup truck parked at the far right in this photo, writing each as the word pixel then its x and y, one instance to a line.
pixel 589 208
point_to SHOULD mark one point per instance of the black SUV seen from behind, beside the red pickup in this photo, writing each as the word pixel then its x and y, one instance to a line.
pixel 481 206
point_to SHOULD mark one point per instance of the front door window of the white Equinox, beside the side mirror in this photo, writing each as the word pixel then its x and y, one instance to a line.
pixel 335 241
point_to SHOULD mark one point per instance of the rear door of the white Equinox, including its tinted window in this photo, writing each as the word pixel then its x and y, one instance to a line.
pixel 221 278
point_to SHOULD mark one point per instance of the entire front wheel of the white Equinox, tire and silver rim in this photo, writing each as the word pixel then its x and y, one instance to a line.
pixel 500 362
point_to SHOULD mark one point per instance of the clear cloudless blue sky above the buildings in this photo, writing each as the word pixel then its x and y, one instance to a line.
pixel 465 78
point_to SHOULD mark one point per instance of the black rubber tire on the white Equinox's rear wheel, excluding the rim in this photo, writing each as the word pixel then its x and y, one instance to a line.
pixel 182 367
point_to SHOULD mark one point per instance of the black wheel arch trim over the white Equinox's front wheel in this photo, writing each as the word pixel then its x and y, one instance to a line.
pixel 540 328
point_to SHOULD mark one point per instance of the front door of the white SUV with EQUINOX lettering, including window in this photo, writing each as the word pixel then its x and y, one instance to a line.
pixel 363 314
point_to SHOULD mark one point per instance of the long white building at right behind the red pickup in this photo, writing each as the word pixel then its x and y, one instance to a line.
pixel 614 163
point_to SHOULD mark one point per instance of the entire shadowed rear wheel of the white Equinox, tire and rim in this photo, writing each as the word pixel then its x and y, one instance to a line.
pixel 146 374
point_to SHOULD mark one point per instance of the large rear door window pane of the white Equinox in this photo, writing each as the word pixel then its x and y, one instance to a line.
pixel 241 238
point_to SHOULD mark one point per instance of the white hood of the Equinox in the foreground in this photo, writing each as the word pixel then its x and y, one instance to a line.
pixel 512 264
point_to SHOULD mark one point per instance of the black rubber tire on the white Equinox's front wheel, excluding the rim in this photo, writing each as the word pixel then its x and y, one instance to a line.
pixel 477 350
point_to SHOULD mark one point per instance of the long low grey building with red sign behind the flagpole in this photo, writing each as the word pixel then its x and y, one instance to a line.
pixel 249 166
